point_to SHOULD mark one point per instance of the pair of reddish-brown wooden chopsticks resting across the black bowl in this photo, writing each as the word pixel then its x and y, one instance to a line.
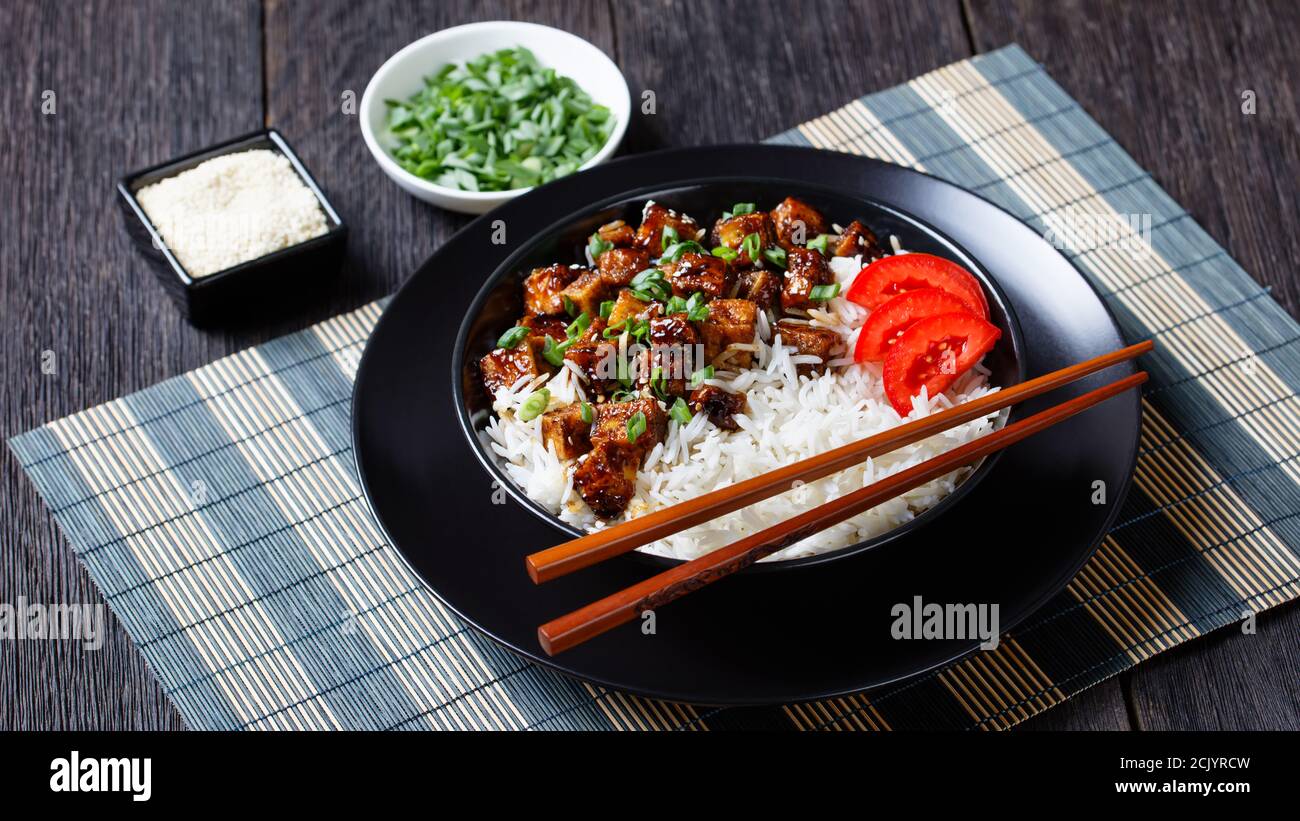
pixel 656 592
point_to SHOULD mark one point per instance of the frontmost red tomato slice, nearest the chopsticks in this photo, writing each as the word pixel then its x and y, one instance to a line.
pixel 933 354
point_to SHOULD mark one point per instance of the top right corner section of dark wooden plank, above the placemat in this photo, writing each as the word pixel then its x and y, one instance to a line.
pixel 1165 80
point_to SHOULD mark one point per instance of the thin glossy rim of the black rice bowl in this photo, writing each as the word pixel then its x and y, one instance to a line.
pixel 512 262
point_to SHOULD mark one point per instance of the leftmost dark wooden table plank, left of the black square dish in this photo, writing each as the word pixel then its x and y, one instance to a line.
pixel 135 84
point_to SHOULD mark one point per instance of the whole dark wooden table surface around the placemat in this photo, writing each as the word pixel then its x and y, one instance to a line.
pixel 136 84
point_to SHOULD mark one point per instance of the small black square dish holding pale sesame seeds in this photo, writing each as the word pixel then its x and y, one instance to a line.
pixel 227 296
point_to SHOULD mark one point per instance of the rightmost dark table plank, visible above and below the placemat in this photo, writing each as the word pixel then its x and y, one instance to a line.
pixel 1167 80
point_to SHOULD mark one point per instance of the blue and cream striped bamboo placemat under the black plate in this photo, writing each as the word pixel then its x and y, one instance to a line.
pixel 220 514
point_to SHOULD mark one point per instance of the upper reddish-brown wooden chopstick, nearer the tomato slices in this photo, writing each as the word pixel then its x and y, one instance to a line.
pixel 592 549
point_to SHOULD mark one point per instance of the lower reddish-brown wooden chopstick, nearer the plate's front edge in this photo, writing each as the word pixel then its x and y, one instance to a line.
pixel 658 590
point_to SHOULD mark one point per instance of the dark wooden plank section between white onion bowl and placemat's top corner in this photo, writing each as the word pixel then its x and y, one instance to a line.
pixel 777 64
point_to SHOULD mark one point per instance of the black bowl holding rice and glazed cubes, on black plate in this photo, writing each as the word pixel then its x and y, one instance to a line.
pixel 500 305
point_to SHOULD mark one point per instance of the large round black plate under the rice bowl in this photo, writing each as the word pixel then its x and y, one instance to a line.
pixel 1015 540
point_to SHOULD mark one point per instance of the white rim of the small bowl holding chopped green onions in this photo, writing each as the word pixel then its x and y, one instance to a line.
pixel 370 99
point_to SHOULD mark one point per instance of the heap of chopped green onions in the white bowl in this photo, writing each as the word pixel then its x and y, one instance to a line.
pixel 497 123
